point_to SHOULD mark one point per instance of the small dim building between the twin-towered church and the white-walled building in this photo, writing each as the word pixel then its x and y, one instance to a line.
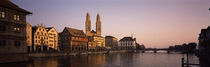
pixel 111 42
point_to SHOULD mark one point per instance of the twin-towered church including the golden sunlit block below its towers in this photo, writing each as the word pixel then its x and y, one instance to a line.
pixel 95 40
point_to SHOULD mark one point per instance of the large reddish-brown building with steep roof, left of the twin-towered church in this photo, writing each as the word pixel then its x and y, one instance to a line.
pixel 72 40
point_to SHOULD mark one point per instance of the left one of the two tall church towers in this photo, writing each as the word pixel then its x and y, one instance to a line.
pixel 88 25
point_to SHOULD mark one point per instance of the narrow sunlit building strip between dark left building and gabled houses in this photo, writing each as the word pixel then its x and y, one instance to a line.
pixel 29 37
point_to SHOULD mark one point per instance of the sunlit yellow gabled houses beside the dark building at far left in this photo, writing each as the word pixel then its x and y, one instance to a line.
pixel 40 38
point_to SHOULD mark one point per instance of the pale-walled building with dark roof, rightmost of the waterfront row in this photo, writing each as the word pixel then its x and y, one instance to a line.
pixel 128 43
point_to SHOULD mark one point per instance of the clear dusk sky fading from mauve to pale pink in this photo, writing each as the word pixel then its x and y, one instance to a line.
pixel 154 23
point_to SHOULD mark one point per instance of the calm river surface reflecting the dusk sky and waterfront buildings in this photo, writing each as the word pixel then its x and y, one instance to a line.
pixel 109 60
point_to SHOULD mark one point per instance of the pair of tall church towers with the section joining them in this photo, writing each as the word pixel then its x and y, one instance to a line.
pixel 88 26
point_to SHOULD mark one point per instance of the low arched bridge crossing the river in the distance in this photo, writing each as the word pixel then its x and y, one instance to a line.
pixel 156 49
